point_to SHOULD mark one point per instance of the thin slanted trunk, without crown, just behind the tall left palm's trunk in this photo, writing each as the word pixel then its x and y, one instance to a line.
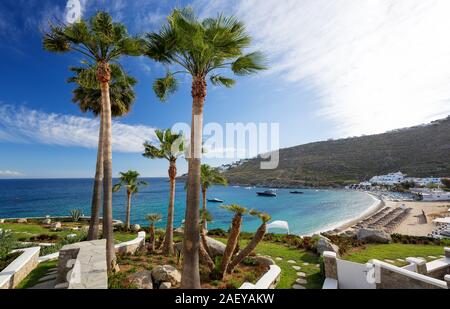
pixel 97 190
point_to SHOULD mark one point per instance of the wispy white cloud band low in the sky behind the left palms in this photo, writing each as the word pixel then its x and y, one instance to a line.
pixel 23 125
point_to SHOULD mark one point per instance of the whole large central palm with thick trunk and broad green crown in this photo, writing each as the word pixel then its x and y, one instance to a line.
pixel 202 49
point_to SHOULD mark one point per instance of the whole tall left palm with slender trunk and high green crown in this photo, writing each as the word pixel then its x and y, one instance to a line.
pixel 99 41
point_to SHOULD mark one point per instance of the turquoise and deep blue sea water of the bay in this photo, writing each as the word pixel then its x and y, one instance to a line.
pixel 311 212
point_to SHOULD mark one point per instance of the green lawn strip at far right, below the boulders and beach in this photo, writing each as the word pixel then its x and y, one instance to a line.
pixel 393 252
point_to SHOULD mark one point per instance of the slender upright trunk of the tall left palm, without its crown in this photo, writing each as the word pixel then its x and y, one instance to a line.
pixel 104 76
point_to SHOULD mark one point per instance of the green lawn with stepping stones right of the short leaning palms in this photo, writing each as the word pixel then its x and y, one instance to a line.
pixel 289 274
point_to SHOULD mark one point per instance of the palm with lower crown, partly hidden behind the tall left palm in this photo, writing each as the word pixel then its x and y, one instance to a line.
pixel 90 99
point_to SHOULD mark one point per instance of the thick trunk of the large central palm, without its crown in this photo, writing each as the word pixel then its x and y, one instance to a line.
pixel 191 273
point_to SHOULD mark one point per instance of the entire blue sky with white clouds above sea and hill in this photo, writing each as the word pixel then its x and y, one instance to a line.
pixel 327 78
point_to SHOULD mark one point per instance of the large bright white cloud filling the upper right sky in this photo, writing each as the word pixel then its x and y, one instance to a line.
pixel 375 65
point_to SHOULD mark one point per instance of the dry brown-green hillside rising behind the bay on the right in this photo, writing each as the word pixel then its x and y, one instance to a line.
pixel 419 151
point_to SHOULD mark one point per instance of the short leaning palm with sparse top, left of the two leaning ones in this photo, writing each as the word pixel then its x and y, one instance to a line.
pixel 233 238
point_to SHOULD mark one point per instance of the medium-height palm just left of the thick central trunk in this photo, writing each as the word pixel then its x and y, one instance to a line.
pixel 171 147
